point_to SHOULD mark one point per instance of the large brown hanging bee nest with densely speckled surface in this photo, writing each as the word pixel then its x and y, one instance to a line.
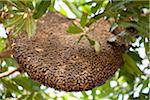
pixel 53 58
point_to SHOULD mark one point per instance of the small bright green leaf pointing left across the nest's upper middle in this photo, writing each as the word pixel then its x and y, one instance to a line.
pixel 74 29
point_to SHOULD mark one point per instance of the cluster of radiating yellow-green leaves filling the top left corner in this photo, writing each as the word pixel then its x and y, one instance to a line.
pixel 22 14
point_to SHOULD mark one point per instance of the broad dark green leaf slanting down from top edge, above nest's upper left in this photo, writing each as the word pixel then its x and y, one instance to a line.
pixel 41 8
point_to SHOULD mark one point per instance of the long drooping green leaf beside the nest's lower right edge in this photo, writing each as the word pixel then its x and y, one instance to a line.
pixel 131 65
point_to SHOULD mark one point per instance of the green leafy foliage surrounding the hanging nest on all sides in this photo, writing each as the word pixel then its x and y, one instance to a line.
pixel 131 78
